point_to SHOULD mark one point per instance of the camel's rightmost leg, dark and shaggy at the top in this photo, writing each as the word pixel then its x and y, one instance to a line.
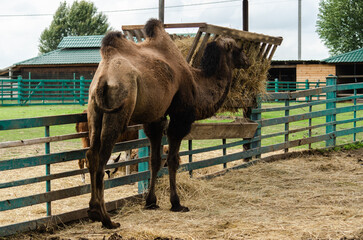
pixel 178 129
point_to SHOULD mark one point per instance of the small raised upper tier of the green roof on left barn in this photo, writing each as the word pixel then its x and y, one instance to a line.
pixel 81 41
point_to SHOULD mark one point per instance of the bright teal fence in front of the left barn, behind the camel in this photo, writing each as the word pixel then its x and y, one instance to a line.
pixel 43 91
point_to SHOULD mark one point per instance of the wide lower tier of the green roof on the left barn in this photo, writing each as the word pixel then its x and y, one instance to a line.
pixel 66 56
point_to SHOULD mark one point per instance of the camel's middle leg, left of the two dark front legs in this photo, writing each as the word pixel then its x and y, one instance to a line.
pixel 154 131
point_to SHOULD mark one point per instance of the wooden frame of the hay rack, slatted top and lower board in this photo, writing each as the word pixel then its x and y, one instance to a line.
pixel 264 44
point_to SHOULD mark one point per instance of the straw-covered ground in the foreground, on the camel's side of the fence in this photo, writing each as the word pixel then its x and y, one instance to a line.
pixel 312 196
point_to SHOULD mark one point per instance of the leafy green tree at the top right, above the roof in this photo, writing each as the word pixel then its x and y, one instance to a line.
pixel 339 25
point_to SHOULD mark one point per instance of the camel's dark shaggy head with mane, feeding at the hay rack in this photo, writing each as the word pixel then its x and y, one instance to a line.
pixel 223 49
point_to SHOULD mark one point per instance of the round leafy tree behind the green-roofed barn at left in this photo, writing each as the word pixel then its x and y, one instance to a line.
pixel 78 20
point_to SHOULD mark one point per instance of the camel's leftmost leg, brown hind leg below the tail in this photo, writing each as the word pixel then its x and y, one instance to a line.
pixel 102 143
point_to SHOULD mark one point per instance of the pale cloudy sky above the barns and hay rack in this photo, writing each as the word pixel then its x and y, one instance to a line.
pixel 22 22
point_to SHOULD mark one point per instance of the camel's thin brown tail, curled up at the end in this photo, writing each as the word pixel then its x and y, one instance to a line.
pixel 102 98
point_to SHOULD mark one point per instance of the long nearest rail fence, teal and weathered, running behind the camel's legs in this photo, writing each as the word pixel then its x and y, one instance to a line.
pixel 283 126
